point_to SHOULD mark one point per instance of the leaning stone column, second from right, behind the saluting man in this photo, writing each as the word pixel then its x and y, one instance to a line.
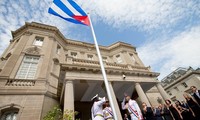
pixel 141 94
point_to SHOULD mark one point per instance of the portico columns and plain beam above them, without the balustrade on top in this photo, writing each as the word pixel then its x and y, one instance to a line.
pixel 79 89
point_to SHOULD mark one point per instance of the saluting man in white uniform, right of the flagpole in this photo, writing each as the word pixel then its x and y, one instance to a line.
pixel 132 107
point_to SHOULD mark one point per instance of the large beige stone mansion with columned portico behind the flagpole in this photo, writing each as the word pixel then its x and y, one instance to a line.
pixel 41 68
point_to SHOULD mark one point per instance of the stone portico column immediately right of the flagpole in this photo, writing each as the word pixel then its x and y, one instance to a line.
pixel 115 102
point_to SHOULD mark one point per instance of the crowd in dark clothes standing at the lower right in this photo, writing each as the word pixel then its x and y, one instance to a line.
pixel 187 109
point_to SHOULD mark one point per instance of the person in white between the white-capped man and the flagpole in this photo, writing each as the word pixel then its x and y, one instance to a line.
pixel 107 112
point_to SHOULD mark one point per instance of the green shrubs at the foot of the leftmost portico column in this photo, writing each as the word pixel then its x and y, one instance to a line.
pixel 57 114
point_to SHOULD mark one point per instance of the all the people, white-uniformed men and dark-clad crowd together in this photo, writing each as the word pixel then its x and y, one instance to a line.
pixel 187 109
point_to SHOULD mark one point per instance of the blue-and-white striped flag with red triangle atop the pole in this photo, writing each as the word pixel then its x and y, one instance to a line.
pixel 70 11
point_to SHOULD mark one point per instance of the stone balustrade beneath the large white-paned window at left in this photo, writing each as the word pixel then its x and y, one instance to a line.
pixel 20 82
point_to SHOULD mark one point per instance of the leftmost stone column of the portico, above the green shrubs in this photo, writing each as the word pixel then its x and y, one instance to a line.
pixel 69 96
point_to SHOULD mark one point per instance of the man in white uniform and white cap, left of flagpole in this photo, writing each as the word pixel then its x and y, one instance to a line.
pixel 97 108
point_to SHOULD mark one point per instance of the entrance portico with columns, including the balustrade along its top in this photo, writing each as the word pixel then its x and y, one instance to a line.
pixel 85 80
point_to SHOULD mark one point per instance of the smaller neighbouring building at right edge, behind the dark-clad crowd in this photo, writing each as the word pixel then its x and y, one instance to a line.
pixel 179 81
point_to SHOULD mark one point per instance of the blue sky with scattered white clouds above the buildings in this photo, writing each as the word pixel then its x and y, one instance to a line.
pixel 166 33
